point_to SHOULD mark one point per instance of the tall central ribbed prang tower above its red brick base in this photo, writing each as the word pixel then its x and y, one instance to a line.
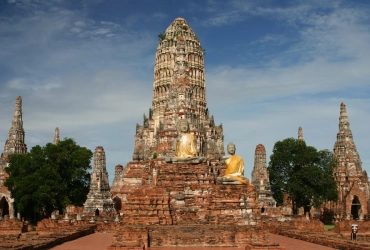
pixel 179 92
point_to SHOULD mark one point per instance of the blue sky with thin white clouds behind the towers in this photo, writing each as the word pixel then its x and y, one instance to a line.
pixel 271 66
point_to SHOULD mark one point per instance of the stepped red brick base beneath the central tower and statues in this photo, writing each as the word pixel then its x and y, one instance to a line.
pixel 169 201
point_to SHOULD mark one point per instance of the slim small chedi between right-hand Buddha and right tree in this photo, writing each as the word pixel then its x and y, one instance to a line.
pixel 261 180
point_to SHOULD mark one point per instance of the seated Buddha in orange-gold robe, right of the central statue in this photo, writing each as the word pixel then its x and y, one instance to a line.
pixel 234 168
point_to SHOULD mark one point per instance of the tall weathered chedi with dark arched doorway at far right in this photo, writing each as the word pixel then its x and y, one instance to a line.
pixel 353 185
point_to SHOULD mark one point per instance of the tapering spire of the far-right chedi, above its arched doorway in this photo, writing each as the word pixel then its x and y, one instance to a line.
pixel 345 148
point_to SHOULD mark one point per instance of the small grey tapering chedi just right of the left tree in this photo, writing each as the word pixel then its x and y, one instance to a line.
pixel 99 198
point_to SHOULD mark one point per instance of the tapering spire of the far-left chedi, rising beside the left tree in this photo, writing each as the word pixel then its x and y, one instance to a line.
pixel 15 142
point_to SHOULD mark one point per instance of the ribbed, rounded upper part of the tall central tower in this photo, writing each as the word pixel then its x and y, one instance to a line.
pixel 179 55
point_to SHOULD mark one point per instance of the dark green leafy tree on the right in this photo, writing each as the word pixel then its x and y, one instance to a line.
pixel 302 172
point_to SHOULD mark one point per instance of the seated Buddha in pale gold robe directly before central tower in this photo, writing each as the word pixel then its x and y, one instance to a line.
pixel 185 145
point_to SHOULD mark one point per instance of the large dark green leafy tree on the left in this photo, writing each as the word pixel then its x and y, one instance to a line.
pixel 49 178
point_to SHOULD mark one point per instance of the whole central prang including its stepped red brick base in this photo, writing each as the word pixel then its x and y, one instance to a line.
pixel 175 199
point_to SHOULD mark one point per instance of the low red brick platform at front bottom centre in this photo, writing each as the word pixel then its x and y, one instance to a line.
pixel 144 237
